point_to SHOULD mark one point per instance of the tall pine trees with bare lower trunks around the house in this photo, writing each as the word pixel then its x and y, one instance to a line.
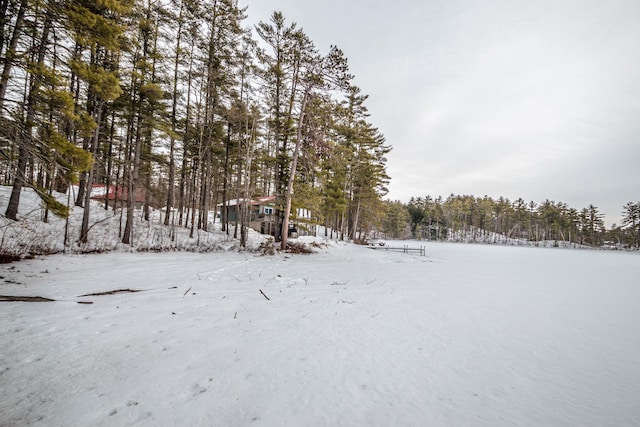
pixel 180 99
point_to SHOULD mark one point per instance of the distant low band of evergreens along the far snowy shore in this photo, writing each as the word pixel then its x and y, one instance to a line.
pixel 469 218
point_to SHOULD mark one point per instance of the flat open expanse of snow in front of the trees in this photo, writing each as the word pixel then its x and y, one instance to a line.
pixel 468 335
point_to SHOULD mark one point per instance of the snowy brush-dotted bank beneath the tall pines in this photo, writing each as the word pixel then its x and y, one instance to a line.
pixel 30 235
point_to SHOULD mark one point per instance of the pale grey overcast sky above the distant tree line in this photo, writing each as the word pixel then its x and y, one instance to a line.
pixel 538 99
